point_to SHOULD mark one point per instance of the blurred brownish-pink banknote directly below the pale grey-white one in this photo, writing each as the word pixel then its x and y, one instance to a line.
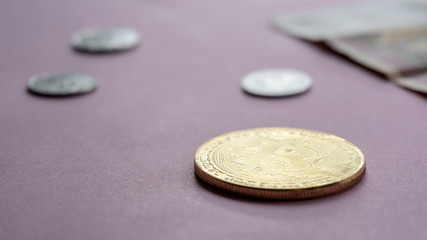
pixel 390 53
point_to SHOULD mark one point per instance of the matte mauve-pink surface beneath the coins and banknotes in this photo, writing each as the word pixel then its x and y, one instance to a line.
pixel 118 163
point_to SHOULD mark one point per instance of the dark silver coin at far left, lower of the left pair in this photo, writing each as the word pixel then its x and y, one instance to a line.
pixel 62 84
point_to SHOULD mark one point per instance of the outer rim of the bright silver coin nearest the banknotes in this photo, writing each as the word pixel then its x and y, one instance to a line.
pixel 258 93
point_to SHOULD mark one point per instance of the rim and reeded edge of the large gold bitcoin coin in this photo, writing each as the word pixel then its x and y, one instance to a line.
pixel 281 194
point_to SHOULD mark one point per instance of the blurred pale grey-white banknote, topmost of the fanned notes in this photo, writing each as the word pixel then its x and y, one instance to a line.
pixel 353 19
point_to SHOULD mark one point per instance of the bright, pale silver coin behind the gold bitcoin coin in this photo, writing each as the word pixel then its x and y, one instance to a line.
pixel 276 82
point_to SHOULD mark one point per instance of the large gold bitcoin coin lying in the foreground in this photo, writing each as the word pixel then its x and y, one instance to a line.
pixel 280 163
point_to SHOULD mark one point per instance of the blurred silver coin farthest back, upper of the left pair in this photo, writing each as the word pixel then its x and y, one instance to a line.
pixel 99 39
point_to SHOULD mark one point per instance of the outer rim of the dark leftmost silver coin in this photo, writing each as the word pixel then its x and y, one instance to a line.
pixel 35 78
